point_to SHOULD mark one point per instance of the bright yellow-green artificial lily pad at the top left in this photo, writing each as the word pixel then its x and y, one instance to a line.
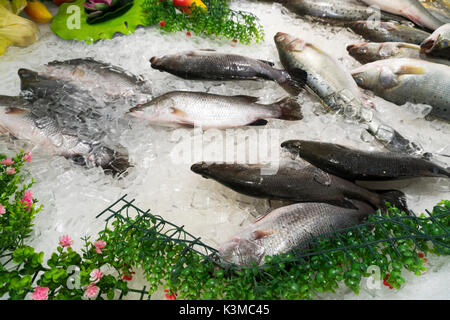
pixel 71 23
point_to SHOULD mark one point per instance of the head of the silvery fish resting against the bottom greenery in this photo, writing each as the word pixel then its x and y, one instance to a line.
pixel 241 251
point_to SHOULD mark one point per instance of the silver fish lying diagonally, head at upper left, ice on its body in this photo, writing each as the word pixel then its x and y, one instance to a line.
pixel 335 88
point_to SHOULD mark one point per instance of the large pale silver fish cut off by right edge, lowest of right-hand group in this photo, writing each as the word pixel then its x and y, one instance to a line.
pixel 400 80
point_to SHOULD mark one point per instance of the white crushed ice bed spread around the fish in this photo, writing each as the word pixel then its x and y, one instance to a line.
pixel 73 195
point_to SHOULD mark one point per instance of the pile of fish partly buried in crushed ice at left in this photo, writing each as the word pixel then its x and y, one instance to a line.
pixel 58 110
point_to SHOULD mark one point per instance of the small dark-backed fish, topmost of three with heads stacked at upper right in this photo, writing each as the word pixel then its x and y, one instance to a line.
pixel 388 32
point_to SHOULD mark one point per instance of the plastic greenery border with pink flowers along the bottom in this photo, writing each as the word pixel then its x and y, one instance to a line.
pixel 174 260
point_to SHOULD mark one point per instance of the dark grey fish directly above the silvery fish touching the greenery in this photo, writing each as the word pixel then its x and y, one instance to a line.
pixel 293 182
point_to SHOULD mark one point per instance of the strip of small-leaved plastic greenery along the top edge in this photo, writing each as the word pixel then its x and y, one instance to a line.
pixel 218 20
